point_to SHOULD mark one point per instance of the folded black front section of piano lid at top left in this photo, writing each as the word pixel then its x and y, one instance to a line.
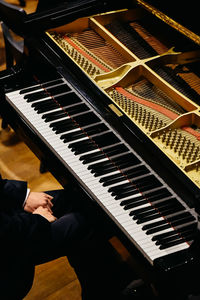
pixel 22 23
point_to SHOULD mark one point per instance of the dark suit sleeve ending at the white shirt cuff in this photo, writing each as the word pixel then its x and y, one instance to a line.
pixel 12 193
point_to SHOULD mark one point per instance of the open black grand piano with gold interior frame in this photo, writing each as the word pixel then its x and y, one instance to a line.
pixel 108 97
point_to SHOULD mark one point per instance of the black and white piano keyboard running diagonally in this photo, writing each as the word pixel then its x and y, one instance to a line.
pixel 148 211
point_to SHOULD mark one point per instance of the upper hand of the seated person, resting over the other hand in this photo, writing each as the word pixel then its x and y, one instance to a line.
pixel 36 199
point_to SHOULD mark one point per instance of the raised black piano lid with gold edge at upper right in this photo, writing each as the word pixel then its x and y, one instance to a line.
pixel 183 18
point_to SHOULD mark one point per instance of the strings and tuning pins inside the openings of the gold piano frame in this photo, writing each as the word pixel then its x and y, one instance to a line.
pixel 144 102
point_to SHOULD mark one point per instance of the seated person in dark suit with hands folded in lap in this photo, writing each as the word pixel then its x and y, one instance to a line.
pixel 38 227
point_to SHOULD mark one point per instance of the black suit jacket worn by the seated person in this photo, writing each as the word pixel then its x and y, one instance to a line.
pixel 20 232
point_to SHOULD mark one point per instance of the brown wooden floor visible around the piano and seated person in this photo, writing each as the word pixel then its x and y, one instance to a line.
pixel 56 279
